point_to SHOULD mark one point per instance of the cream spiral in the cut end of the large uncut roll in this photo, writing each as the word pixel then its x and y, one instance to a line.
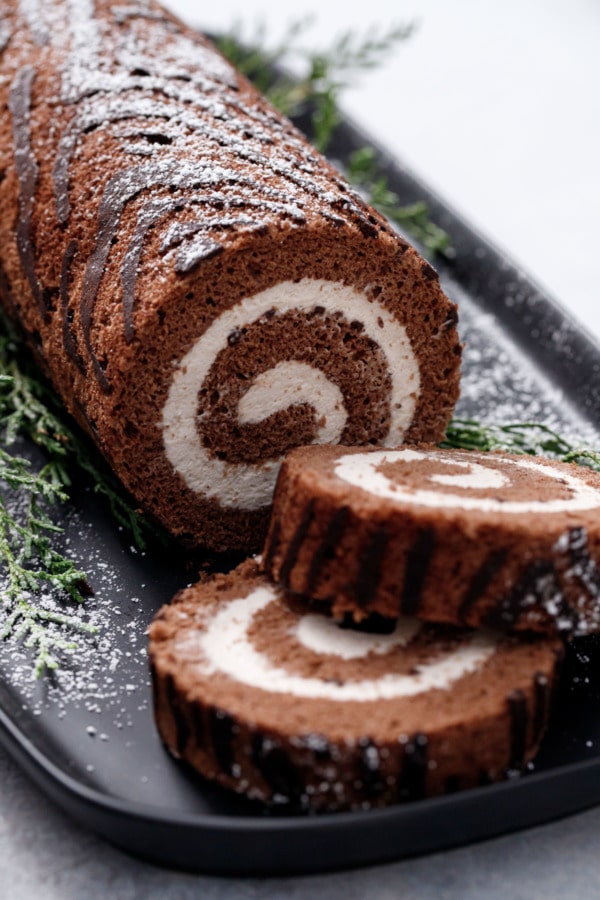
pixel 251 486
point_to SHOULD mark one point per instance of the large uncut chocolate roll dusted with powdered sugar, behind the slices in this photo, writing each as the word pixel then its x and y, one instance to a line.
pixel 205 291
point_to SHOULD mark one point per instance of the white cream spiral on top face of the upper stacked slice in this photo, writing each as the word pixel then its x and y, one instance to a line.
pixel 362 471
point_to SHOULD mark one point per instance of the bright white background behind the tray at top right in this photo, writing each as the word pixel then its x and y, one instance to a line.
pixel 497 106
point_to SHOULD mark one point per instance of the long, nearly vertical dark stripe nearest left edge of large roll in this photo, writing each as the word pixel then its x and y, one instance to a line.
pixel 19 104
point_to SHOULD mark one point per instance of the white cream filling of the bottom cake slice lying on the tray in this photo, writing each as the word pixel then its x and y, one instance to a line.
pixel 224 648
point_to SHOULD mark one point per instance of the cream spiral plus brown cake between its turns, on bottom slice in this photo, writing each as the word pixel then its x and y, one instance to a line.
pixel 235 644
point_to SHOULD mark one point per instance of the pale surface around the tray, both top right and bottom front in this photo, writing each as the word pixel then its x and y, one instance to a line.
pixel 497 107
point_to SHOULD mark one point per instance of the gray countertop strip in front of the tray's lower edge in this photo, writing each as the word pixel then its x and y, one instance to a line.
pixel 44 855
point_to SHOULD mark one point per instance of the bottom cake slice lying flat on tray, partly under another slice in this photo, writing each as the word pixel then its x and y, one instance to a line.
pixel 272 699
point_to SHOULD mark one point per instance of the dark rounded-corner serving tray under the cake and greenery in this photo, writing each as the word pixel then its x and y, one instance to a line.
pixel 87 737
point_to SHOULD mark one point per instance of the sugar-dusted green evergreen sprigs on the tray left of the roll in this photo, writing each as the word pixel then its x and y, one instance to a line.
pixel 35 575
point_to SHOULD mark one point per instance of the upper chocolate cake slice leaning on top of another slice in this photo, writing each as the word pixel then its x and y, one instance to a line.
pixel 478 539
